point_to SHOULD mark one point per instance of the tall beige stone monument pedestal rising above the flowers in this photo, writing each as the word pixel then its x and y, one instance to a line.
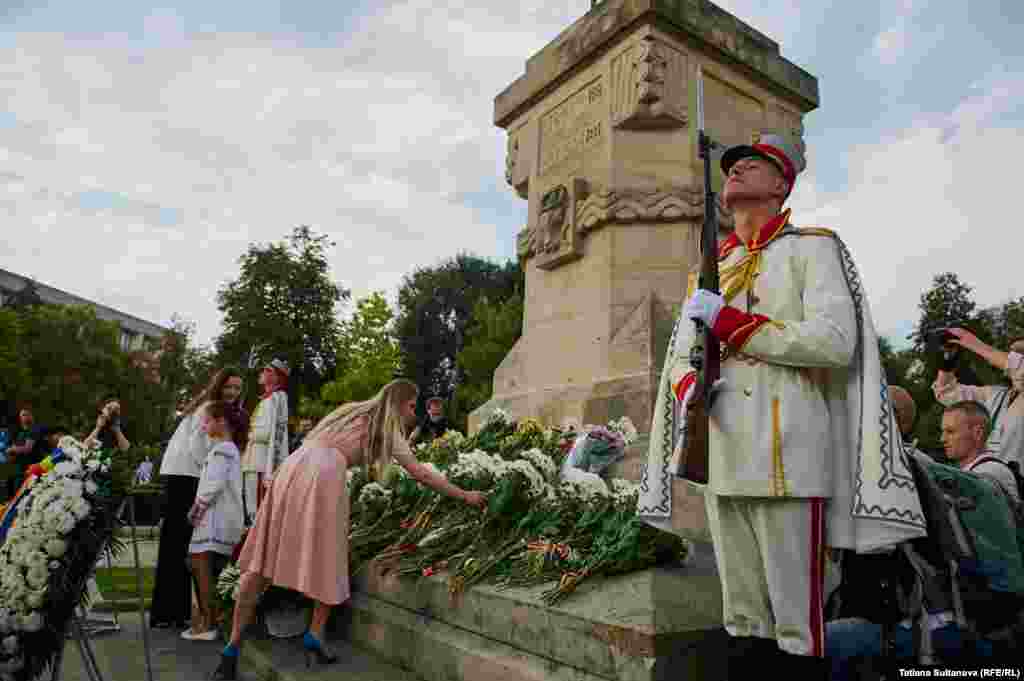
pixel 603 146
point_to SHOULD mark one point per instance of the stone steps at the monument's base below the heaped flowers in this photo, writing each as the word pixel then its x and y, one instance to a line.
pixel 628 628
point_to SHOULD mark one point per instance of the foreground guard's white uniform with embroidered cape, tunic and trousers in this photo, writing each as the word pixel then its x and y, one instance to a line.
pixel 788 436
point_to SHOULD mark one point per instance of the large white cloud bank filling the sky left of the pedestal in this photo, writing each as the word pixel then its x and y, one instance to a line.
pixel 245 137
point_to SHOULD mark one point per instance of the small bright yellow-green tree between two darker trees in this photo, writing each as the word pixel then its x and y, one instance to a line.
pixel 368 354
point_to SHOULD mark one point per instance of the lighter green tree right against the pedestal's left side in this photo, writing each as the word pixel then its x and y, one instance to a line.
pixel 494 330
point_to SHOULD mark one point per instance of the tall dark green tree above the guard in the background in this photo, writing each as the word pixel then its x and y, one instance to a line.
pixel 284 305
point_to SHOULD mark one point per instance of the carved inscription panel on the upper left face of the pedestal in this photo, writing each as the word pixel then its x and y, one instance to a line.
pixel 573 127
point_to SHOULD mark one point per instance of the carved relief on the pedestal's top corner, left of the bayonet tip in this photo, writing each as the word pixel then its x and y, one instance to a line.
pixel 650 83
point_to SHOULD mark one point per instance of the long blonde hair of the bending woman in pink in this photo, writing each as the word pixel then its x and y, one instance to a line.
pixel 387 431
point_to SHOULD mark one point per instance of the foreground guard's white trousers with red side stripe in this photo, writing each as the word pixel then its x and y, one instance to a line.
pixel 771 556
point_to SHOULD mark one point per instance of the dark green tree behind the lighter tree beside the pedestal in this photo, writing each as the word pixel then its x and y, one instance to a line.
pixel 436 306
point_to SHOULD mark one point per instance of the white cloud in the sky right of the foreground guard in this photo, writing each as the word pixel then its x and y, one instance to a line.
pixel 931 199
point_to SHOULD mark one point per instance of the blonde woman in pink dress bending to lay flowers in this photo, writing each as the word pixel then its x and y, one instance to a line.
pixel 301 538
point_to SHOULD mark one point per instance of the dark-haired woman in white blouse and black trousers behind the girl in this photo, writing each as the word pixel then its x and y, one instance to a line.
pixel 181 470
